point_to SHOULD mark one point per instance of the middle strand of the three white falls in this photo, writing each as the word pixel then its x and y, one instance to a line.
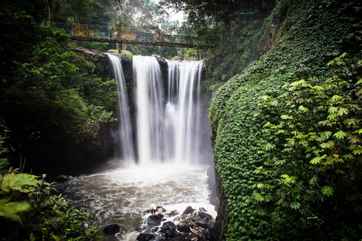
pixel 149 108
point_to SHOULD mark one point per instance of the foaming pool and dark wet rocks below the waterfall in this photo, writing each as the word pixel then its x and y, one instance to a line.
pixel 158 203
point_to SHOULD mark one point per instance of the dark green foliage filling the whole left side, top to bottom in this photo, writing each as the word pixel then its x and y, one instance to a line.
pixel 56 114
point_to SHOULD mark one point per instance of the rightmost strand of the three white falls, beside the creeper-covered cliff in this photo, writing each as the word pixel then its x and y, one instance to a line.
pixel 183 110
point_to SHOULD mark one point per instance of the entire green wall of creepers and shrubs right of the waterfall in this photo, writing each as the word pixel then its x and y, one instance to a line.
pixel 286 129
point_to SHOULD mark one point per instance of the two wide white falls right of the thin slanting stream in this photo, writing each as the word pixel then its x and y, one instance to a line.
pixel 168 117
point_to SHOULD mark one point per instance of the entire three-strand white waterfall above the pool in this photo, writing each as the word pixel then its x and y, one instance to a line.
pixel 167 115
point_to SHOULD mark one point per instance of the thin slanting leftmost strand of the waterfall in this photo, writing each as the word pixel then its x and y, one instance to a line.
pixel 125 127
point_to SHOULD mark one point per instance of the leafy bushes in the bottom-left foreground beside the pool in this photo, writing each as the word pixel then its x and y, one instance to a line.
pixel 31 209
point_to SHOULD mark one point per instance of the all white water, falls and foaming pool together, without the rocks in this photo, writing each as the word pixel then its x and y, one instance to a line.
pixel 168 163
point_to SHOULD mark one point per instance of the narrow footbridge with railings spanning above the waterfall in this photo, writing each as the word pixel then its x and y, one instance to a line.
pixel 103 33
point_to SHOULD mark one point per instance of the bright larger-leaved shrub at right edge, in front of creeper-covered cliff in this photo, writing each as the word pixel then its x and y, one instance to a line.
pixel 312 152
